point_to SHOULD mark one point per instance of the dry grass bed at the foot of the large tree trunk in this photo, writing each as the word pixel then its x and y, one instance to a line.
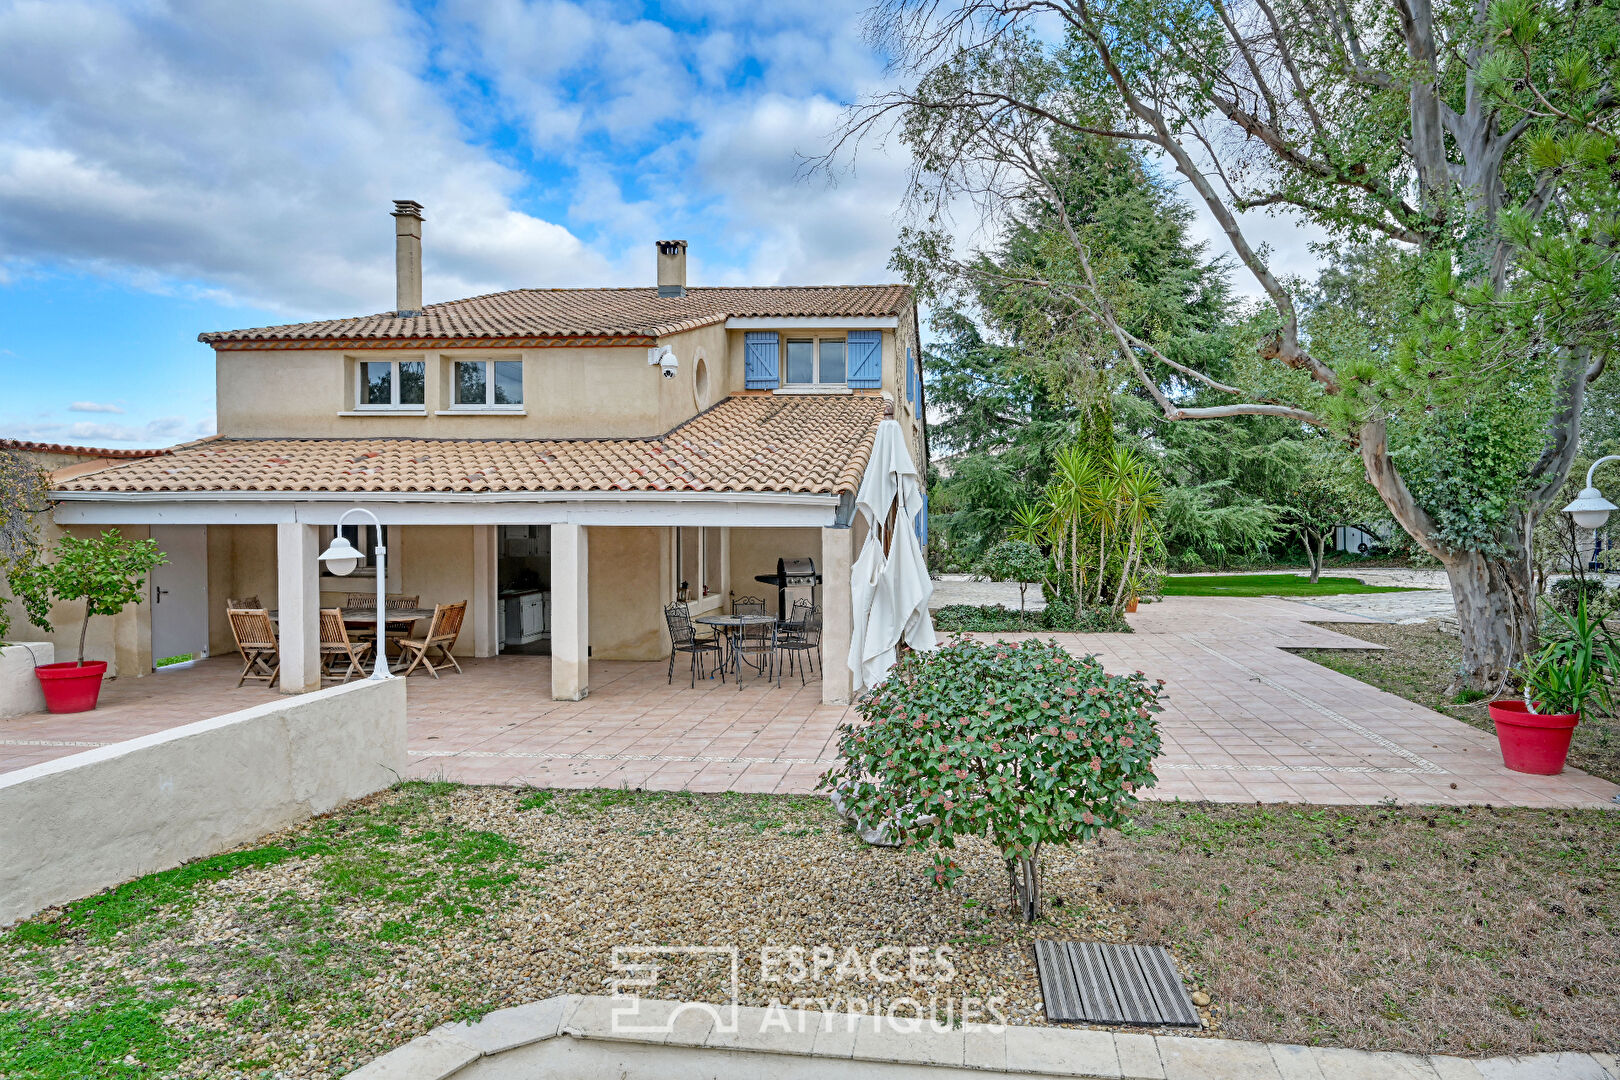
pixel 1422 661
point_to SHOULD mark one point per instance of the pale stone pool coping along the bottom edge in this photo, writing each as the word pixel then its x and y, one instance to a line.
pixel 623 1039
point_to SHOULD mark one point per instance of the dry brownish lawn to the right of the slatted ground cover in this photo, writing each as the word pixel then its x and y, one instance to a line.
pixel 1462 932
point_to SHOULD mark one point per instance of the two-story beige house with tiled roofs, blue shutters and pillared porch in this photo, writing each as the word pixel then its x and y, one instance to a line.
pixel 568 461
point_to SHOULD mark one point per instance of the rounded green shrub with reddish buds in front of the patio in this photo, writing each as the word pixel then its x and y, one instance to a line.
pixel 1023 742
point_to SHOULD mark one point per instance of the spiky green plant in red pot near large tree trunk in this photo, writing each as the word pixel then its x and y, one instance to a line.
pixel 1561 681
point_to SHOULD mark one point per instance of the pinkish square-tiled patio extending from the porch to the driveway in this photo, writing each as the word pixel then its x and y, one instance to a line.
pixel 1245 721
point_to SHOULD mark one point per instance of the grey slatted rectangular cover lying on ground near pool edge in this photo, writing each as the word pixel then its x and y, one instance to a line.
pixel 1088 982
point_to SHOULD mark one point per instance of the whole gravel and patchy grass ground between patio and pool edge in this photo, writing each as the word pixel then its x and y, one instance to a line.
pixel 343 938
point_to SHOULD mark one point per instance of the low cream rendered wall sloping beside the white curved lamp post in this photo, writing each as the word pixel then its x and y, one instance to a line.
pixel 79 825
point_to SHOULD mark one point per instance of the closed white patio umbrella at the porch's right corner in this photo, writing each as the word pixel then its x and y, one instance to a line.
pixel 890 582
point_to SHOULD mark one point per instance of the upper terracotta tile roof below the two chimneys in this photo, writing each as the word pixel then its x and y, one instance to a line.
pixel 527 313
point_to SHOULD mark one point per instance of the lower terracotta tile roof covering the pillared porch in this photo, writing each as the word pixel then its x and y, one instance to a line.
pixel 816 444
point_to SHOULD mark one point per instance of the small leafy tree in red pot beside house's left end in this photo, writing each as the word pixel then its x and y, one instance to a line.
pixel 106 574
